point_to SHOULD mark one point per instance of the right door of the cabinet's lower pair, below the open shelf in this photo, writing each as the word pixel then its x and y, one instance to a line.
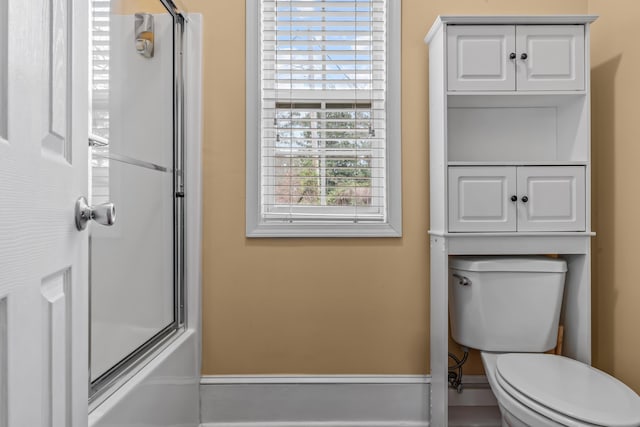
pixel 551 198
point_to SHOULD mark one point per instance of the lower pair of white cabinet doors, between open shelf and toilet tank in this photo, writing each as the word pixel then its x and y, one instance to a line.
pixel 510 198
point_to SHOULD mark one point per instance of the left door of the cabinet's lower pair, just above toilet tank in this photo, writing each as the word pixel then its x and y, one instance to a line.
pixel 480 198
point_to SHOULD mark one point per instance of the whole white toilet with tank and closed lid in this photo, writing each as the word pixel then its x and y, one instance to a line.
pixel 508 308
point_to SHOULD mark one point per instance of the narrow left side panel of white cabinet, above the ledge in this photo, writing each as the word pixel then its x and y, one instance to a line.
pixel 437 133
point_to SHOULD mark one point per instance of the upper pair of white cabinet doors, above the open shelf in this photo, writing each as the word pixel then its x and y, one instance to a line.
pixel 515 57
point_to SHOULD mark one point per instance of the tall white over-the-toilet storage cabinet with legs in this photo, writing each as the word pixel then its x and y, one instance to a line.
pixel 509 159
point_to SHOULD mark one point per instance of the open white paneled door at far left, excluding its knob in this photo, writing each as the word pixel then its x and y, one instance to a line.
pixel 43 170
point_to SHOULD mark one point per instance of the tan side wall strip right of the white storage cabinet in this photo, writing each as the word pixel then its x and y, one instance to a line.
pixel 615 83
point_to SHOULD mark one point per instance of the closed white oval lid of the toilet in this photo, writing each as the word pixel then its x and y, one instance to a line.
pixel 570 388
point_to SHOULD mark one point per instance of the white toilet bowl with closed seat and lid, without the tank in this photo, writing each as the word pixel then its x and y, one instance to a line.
pixel 535 389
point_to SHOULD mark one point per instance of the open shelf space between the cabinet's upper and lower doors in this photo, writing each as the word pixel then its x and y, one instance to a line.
pixel 517 130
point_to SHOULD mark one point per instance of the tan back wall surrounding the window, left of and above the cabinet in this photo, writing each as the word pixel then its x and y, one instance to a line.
pixel 317 306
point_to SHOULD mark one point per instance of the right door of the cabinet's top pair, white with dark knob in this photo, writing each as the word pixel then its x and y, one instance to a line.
pixel 550 57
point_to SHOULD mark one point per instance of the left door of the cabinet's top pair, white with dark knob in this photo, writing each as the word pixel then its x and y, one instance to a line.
pixel 478 57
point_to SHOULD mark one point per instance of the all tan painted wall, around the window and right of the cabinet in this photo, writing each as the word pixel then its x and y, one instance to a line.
pixel 271 306
